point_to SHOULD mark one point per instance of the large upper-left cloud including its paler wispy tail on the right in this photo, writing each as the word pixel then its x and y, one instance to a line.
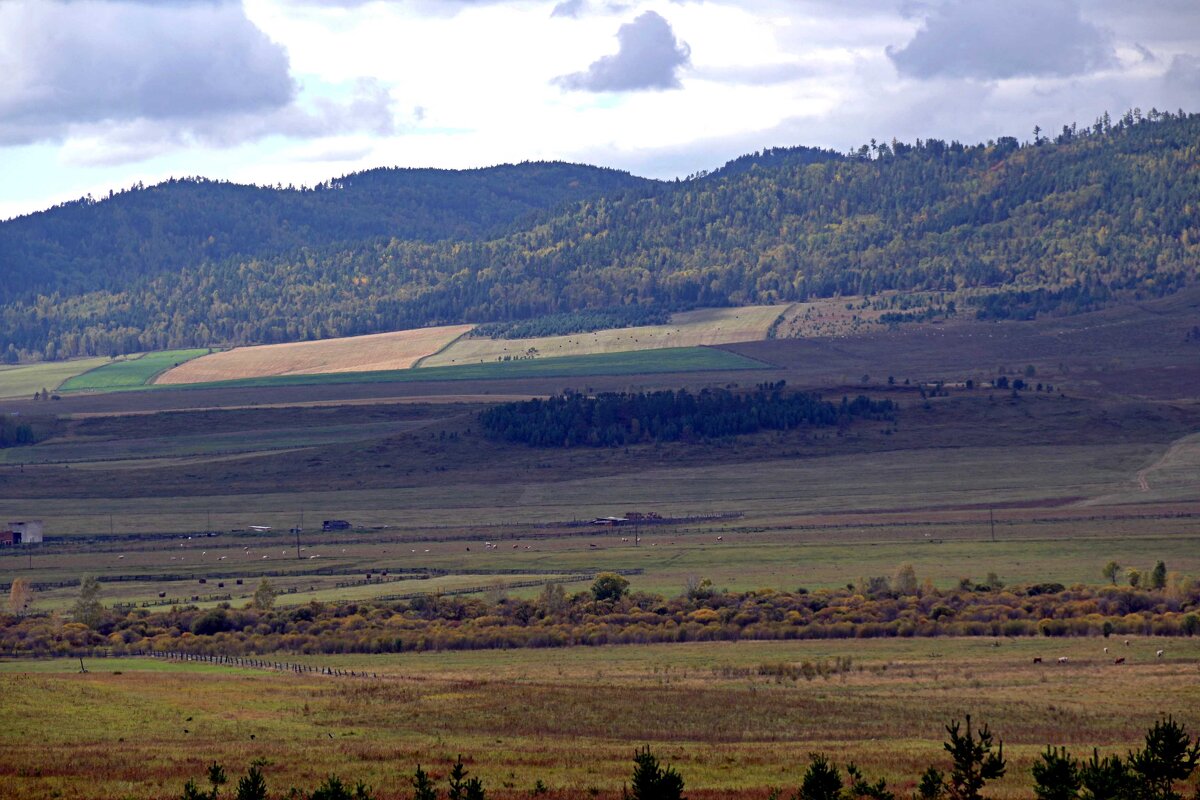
pixel 131 80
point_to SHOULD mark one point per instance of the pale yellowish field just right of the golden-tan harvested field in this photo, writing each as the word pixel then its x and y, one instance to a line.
pixel 687 329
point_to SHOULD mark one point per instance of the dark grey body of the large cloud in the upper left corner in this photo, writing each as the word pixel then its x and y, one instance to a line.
pixel 82 63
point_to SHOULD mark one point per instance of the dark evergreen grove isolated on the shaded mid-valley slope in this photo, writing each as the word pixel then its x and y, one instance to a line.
pixel 617 419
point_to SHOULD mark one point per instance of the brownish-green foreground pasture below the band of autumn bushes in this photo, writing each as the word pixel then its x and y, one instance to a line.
pixel 735 719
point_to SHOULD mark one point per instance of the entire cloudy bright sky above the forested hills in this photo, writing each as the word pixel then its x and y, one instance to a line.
pixel 99 95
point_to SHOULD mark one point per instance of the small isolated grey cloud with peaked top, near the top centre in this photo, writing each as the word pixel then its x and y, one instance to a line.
pixel 649 57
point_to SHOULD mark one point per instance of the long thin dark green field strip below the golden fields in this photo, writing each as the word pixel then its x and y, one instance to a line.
pixel 699 359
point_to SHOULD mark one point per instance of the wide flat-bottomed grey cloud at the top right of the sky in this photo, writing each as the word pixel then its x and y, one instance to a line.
pixel 968 39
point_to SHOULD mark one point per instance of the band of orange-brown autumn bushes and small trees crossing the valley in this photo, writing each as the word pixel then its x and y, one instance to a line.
pixel 610 613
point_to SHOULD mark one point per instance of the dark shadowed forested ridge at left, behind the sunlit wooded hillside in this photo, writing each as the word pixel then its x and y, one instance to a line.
pixel 110 244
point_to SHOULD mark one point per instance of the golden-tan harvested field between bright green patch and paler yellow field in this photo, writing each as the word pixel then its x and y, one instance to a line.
pixel 395 351
